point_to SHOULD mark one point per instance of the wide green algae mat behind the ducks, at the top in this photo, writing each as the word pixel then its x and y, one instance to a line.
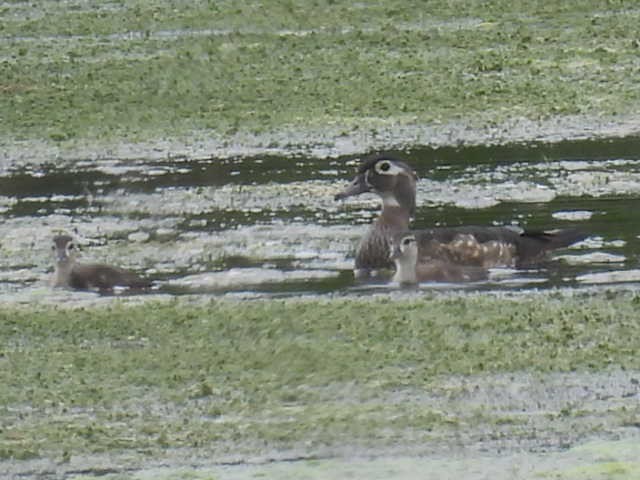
pixel 140 70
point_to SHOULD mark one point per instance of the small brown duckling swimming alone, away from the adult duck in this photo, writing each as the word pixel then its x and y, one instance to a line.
pixel 70 274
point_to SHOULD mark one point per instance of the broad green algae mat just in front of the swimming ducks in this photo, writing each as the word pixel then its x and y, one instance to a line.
pixel 250 377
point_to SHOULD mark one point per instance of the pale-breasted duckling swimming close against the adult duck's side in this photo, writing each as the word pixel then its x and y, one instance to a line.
pixel 411 270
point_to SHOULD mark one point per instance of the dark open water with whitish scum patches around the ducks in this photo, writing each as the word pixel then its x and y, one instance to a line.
pixel 270 224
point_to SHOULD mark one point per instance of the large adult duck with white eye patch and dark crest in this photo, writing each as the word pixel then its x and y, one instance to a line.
pixel 468 246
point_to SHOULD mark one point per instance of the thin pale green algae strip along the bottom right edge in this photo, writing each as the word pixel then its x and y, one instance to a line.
pixel 615 460
